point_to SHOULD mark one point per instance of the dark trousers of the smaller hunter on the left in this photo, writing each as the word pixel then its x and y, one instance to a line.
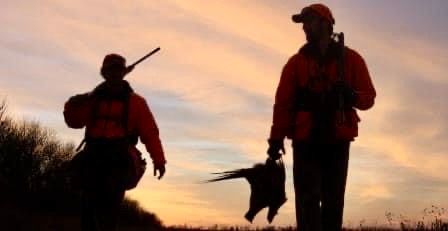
pixel 103 187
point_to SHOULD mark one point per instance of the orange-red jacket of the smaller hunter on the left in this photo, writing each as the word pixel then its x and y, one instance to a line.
pixel 140 121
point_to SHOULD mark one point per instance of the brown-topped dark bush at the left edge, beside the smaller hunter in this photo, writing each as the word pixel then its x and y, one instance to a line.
pixel 31 159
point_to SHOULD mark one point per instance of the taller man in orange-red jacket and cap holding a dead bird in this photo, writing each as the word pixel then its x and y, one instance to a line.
pixel 308 110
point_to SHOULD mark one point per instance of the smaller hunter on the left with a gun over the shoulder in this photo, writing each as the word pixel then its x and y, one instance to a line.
pixel 114 117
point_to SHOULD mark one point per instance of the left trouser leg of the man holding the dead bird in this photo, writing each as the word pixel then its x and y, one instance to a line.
pixel 306 168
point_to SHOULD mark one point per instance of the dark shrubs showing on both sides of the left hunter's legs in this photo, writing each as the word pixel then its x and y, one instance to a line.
pixel 35 177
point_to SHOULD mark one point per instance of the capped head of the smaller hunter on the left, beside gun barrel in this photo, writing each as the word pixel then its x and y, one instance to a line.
pixel 114 67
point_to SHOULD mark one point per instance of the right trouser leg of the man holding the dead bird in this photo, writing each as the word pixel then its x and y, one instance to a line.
pixel 334 180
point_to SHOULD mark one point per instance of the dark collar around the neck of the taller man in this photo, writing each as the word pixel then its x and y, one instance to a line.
pixel 311 51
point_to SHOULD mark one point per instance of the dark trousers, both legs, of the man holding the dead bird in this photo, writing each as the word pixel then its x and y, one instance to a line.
pixel 320 175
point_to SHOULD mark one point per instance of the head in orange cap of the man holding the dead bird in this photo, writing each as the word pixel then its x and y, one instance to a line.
pixel 317 22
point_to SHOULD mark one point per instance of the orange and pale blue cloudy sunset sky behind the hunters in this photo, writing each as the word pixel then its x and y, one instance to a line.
pixel 212 85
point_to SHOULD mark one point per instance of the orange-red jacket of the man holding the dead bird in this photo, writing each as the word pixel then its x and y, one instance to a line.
pixel 306 67
